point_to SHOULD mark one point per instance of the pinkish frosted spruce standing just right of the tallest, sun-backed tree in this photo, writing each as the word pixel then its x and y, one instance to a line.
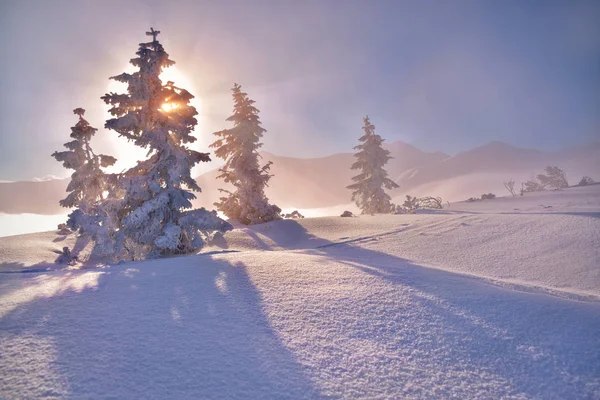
pixel 239 146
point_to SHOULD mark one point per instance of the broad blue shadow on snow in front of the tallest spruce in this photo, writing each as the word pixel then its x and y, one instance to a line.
pixel 172 328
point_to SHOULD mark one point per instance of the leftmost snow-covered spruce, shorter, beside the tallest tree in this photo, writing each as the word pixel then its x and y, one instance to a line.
pixel 89 187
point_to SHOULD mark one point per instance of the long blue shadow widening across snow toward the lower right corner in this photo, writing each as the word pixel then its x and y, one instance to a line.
pixel 540 345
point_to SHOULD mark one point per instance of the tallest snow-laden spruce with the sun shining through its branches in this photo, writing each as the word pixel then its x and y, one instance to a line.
pixel 155 217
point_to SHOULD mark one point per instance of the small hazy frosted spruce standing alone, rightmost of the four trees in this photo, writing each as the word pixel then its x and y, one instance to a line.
pixel 368 190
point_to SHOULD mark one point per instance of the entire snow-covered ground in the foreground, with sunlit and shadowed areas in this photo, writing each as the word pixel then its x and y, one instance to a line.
pixel 492 299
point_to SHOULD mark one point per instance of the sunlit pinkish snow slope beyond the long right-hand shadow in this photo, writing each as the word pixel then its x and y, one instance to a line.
pixel 558 253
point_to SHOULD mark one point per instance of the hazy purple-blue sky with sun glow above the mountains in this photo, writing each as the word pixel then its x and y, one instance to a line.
pixel 441 75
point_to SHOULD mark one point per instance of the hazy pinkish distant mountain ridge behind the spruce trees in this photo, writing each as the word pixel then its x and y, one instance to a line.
pixel 321 182
